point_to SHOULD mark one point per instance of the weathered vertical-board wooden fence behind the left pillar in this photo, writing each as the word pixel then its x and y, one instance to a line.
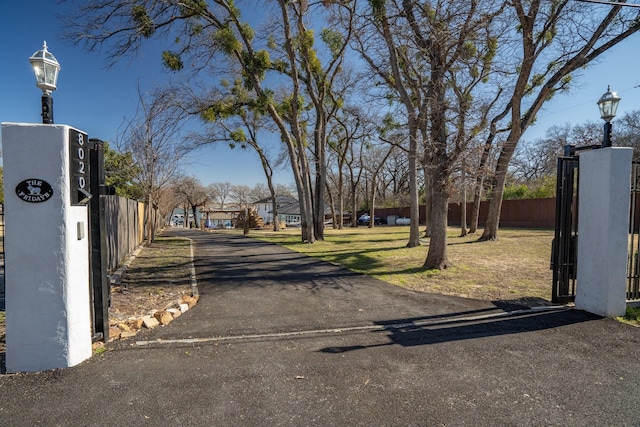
pixel 124 228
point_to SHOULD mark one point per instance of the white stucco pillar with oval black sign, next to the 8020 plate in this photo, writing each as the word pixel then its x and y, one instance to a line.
pixel 48 310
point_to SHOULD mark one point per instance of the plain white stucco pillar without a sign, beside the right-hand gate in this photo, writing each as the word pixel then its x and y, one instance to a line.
pixel 603 229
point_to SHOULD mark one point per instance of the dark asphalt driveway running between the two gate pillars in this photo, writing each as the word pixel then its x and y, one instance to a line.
pixel 282 339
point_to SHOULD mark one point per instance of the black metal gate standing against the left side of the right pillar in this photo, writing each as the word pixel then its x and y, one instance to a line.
pixel 564 246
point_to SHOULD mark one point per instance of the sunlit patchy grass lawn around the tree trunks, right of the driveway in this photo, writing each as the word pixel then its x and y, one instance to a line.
pixel 515 267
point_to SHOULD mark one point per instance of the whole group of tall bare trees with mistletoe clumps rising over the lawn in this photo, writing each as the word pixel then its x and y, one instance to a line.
pixel 460 81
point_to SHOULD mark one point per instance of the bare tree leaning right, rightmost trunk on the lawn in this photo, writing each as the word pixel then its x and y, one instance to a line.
pixel 555 39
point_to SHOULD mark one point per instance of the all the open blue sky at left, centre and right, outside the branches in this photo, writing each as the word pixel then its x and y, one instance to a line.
pixel 97 99
